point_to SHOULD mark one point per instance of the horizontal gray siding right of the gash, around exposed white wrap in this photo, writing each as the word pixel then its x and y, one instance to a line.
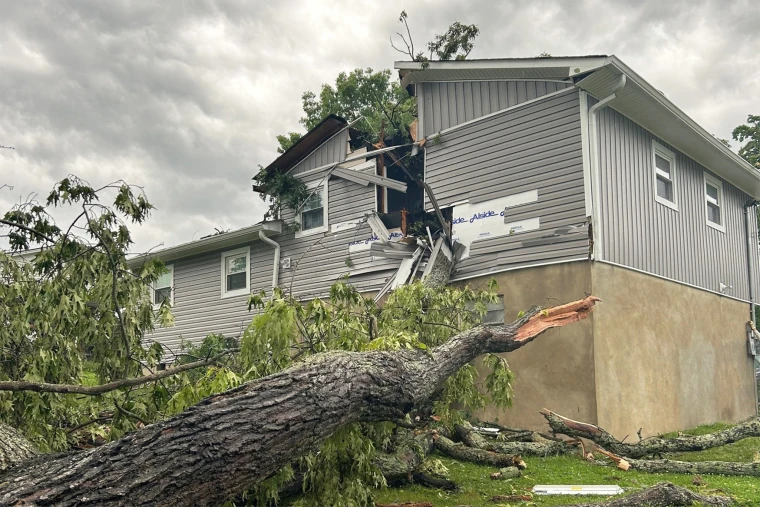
pixel 535 147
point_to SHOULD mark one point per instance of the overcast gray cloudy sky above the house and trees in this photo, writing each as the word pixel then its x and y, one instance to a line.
pixel 185 98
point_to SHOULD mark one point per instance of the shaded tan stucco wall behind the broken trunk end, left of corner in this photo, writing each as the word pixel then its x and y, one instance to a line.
pixel 556 370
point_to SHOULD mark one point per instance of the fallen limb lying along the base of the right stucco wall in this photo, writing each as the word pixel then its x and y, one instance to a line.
pixel 653 445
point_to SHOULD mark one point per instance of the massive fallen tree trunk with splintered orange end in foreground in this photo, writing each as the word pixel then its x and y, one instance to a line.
pixel 230 441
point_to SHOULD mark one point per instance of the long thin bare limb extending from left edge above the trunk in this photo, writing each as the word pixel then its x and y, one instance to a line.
pixel 41 387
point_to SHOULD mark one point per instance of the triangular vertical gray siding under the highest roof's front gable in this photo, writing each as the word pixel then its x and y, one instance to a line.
pixel 445 105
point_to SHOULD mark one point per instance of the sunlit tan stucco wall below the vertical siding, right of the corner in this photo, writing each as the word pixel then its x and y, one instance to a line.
pixel 667 356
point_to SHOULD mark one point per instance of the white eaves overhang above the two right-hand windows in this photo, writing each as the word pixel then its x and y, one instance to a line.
pixel 650 108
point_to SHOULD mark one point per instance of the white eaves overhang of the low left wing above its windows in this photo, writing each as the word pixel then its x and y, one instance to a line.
pixel 209 244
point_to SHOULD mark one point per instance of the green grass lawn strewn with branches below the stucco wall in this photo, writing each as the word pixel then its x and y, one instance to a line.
pixel 477 488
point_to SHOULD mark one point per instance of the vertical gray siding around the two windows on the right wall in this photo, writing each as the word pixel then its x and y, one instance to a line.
pixel 639 232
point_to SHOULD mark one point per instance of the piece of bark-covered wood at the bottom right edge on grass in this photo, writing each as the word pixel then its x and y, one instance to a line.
pixel 663 494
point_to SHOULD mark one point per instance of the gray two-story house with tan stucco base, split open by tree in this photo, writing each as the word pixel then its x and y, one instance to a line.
pixel 555 176
